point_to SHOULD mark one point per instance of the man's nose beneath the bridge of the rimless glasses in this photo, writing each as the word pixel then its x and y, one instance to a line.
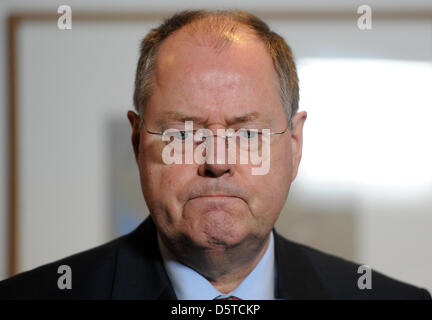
pixel 216 160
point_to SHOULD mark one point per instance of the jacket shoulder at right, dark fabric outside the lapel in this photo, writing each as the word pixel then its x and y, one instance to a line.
pixel 341 278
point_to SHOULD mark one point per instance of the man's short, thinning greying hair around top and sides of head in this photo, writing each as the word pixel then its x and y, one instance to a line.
pixel 222 25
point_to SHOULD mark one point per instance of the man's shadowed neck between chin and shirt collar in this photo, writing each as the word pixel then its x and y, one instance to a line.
pixel 224 267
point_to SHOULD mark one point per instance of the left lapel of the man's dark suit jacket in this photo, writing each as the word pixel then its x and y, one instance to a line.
pixel 139 270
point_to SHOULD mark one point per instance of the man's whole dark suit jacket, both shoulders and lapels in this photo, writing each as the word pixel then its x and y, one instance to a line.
pixel 131 267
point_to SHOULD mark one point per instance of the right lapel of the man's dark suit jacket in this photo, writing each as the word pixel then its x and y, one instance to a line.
pixel 296 277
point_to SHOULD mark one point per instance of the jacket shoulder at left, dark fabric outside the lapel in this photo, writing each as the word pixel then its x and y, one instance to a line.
pixel 92 273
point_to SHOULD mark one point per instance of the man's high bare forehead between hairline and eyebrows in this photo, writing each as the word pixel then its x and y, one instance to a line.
pixel 197 78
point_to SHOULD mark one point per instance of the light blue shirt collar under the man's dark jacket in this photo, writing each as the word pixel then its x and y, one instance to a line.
pixel 190 285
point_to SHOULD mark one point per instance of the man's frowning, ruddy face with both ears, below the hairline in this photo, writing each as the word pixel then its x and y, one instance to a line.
pixel 215 205
